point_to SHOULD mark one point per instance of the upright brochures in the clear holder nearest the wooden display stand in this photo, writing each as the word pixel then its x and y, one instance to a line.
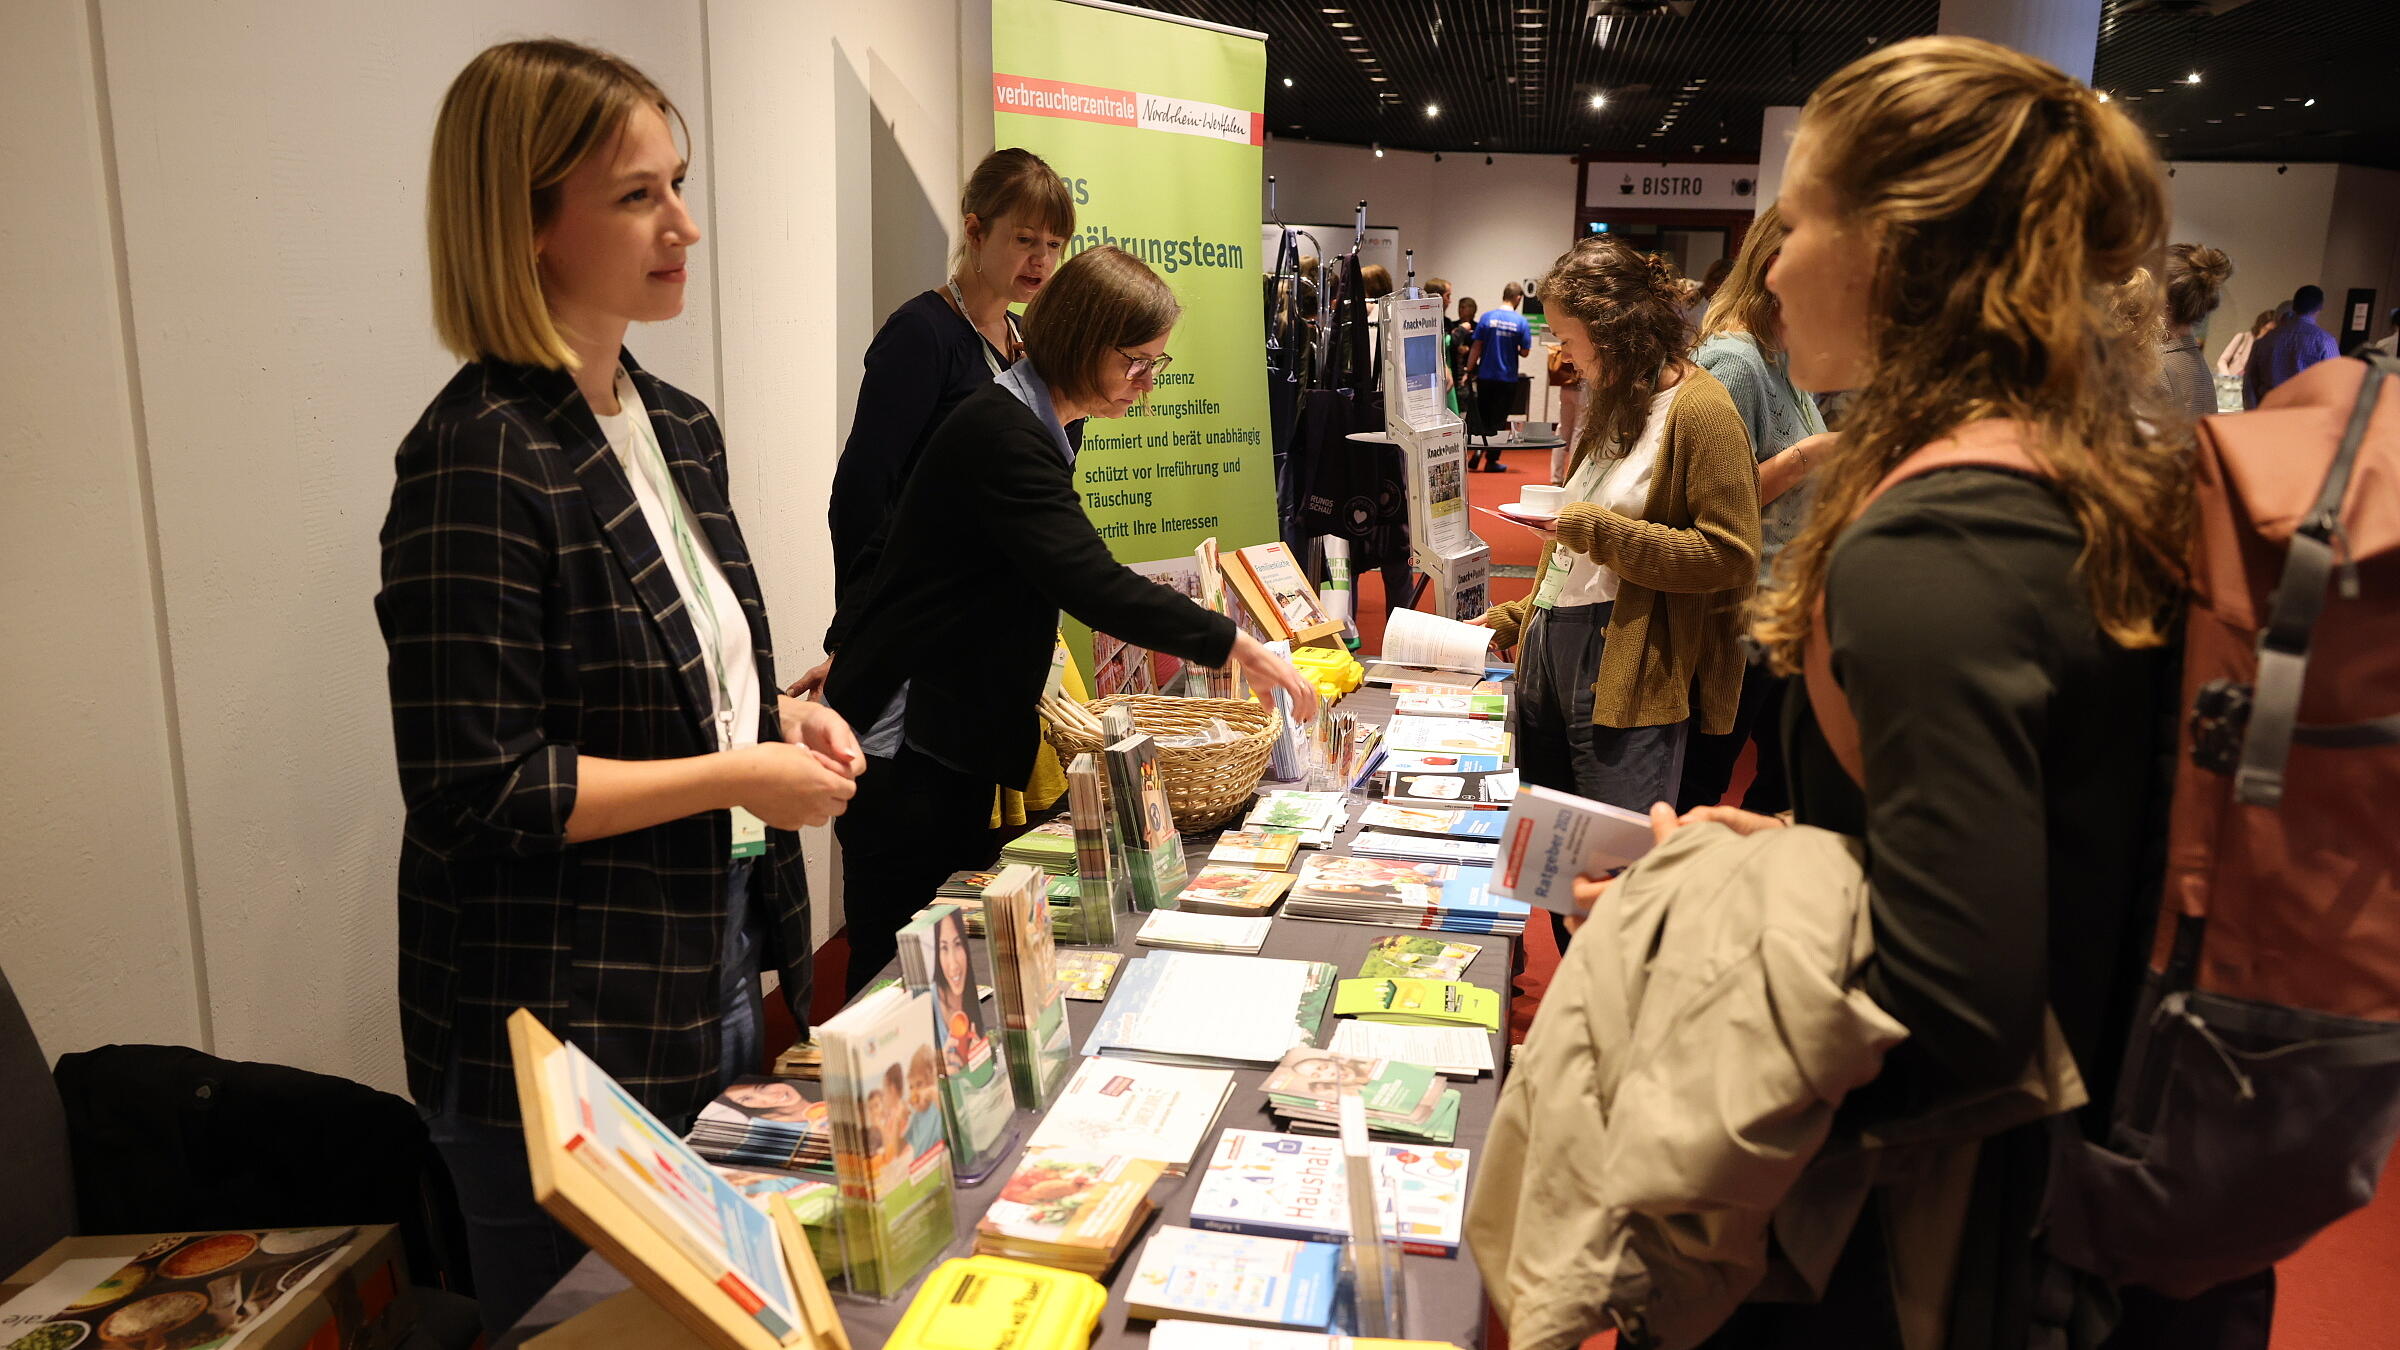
pixel 889 1147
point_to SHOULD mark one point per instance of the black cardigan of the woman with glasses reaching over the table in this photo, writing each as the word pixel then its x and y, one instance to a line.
pixel 964 595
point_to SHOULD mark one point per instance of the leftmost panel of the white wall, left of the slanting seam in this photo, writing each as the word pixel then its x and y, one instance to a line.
pixel 97 928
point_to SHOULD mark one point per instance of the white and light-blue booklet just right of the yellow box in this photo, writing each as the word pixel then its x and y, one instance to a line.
pixel 1225 1277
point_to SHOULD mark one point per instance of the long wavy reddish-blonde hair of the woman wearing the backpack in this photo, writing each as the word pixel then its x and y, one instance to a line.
pixel 2008 208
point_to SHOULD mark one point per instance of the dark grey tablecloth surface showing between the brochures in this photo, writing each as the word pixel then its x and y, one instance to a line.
pixel 1444 1294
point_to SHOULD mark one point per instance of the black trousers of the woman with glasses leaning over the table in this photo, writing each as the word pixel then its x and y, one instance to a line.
pixel 908 828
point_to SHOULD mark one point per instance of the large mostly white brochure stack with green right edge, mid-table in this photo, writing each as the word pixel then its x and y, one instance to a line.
pixel 1220 1012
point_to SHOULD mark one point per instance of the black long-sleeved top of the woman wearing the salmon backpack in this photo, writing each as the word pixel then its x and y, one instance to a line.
pixel 2012 748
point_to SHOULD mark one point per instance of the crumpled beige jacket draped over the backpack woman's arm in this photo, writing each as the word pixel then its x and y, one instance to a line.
pixel 1681 1080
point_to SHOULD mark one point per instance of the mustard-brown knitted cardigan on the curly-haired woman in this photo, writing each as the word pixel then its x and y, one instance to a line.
pixel 1684 573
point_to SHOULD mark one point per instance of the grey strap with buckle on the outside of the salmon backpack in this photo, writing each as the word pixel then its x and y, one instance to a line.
pixel 2300 599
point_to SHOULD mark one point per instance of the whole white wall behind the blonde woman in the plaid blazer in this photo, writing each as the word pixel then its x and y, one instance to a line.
pixel 200 794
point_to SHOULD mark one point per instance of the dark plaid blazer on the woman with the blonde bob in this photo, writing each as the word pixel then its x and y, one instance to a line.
pixel 529 621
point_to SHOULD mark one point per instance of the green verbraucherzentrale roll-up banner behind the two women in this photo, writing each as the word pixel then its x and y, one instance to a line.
pixel 1158 126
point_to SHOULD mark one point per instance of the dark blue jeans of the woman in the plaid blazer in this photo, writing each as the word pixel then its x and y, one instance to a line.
pixel 515 1248
